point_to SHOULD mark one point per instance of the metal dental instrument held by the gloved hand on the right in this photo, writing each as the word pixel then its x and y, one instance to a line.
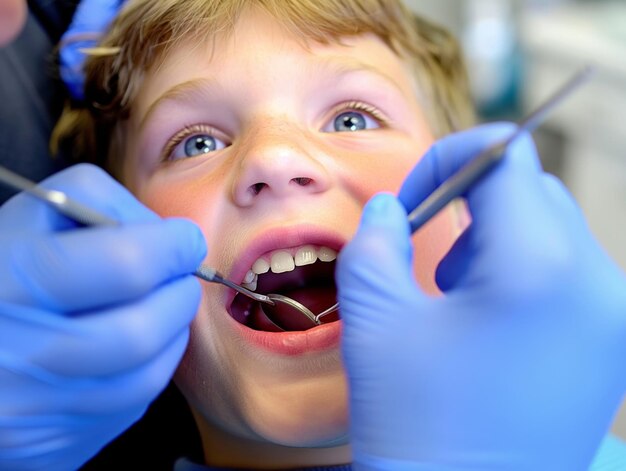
pixel 479 166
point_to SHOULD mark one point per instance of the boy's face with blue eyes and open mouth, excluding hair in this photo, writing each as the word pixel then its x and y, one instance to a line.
pixel 284 167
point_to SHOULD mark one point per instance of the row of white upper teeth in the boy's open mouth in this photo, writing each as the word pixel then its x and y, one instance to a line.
pixel 282 261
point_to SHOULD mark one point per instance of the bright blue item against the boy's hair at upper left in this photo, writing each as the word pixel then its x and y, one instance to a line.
pixel 90 21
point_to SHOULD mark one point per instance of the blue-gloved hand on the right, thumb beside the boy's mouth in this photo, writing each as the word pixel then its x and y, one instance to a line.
pixel 520 365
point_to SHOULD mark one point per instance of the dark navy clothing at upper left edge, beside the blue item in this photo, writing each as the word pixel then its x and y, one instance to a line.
pixel 31 98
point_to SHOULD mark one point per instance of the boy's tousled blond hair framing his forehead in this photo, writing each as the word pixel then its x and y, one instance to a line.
pixel 146 29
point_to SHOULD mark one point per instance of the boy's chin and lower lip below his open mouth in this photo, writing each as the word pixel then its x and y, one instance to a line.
pixel 281 394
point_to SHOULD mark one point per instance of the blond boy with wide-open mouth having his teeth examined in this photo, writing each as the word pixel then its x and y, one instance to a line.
pixel 270 124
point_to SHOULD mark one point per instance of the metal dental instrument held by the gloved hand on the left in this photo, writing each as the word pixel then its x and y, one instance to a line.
pixel 87 216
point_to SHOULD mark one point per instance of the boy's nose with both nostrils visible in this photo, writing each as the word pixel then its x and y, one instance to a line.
pixel 278 162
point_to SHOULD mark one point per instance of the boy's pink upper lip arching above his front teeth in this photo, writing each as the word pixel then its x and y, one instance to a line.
pixel 282 238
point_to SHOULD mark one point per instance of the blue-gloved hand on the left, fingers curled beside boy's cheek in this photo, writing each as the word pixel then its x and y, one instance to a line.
pixel 93 321
